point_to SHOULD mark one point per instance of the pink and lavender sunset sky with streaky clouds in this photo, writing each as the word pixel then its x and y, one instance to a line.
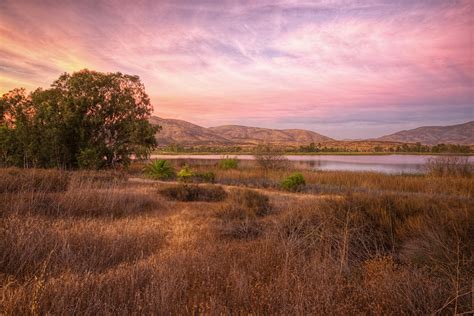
pixel 346 69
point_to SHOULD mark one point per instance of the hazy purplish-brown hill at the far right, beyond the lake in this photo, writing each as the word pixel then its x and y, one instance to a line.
pixel 432 135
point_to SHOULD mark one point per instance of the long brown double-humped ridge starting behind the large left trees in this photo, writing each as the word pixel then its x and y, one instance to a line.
pixel 188 134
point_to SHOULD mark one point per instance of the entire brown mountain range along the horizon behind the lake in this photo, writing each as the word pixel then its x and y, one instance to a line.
pixel 188 134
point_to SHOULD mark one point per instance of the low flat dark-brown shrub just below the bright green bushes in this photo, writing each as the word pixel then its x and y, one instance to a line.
pixel 194 192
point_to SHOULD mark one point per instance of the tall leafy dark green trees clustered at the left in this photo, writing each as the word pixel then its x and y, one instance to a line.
pixel 86 119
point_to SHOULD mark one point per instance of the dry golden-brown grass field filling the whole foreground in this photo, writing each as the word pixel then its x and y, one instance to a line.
pixel 111 243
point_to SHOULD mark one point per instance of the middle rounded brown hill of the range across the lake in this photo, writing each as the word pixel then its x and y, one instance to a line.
pixel 256 135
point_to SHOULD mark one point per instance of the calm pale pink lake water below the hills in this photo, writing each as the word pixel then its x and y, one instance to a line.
pixel 376 163
